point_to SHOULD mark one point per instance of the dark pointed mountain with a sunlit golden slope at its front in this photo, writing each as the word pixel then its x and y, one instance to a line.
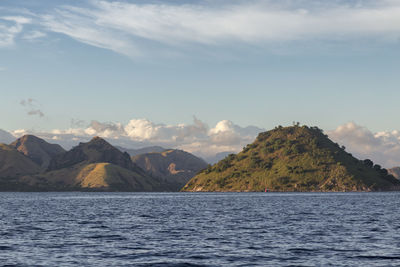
pixel 95 165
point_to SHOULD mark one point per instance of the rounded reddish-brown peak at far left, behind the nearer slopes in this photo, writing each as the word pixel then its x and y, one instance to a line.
pixel 38 150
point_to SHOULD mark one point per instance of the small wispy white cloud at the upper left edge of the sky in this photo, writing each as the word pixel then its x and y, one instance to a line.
pixel 10 27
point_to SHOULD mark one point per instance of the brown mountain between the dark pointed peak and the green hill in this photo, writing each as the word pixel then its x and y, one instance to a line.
pixel 174 167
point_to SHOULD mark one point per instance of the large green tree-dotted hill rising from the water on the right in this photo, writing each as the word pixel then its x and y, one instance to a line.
pixel 297 158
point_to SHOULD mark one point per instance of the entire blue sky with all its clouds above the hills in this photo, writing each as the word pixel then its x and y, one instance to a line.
pixel 204 76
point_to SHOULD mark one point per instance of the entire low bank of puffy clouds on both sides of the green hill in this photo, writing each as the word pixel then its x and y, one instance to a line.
pixel 204 141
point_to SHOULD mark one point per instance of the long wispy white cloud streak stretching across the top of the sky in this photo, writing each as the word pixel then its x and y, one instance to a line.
pixel 127 28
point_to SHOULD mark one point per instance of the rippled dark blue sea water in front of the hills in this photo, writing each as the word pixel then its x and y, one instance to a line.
pixel 199 229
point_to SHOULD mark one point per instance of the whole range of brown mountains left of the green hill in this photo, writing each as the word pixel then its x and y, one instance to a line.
pixel 32 164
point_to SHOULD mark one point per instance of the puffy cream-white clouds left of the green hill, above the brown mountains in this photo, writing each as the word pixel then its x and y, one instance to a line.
pixel 196 137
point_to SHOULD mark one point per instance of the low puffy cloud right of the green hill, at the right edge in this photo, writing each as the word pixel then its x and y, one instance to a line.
pixel 382 147
